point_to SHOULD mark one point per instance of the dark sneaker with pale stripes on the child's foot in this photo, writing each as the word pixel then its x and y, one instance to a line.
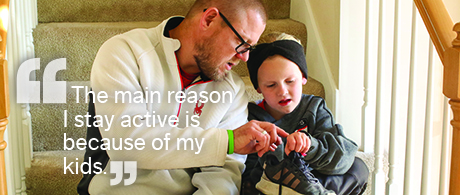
pixel 290 176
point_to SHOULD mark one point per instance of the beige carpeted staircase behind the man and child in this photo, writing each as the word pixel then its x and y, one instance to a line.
pixel 75 29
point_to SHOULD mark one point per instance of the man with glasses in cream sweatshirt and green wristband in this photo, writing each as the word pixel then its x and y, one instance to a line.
pixel 187 55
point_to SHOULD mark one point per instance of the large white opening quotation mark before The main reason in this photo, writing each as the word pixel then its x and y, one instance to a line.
pixel 29 91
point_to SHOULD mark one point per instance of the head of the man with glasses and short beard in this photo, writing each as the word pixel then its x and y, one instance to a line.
pixel 227 29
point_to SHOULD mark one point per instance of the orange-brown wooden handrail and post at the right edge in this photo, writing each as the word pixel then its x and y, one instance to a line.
pixel 442 32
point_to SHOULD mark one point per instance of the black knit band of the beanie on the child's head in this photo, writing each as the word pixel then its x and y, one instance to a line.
pixel 289 49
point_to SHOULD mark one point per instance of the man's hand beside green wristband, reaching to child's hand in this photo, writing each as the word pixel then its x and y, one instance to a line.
pixel 257 136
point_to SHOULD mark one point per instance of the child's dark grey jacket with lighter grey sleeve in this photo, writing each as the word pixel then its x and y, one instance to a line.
pixel 330 153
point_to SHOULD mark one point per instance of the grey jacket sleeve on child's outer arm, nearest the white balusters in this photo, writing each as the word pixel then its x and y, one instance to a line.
pixel 330 152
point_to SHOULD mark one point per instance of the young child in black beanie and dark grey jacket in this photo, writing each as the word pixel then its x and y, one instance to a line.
pixel 278 70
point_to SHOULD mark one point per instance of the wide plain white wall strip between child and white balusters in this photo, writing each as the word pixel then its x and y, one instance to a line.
pixel 351 69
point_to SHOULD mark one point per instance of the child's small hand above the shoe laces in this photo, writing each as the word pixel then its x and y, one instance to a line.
pixel 299 142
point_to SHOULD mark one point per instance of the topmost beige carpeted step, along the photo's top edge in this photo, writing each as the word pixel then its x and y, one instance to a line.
pixel 124 11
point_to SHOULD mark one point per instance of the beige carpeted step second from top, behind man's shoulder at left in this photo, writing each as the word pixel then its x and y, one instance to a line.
pixel 78 43
